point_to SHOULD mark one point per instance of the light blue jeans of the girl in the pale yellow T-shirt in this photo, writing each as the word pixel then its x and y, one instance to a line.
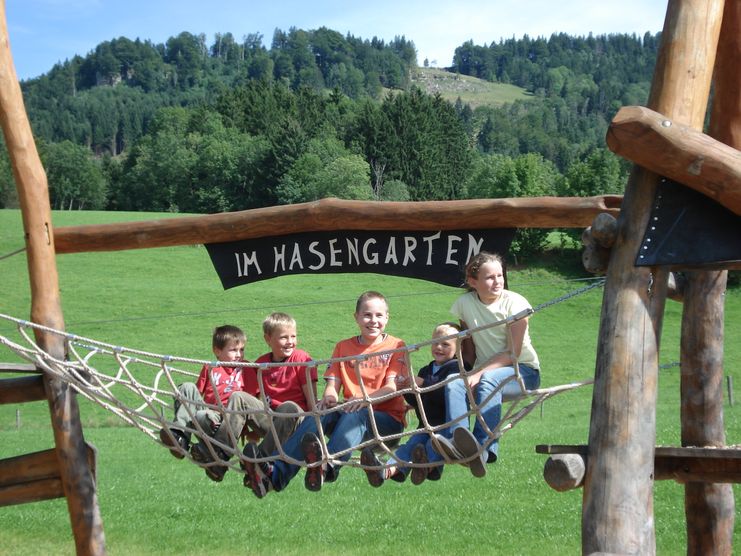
pixel 457 405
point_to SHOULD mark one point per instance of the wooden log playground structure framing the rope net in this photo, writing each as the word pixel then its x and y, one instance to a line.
pixel 700 44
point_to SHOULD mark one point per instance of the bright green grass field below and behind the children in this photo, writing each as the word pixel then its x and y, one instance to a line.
pixel 168 300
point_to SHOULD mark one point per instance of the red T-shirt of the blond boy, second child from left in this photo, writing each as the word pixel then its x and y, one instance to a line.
pixel 284 383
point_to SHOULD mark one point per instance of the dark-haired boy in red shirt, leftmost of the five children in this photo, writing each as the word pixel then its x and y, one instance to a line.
pixel 228 346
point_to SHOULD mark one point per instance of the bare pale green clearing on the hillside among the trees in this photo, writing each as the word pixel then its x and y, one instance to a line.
pixel 471 90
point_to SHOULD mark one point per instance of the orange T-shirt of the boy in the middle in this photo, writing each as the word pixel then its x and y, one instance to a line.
pixel 375 371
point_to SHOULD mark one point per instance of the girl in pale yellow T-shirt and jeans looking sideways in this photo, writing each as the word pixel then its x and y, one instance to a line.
pixel 487 302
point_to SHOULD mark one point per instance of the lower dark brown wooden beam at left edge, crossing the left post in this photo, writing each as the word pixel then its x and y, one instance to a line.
pixel 34 477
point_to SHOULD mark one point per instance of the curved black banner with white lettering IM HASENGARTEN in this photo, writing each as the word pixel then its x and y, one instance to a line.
pixel 434 256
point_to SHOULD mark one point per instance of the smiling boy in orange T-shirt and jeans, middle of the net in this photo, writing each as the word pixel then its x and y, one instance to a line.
pixel 351 424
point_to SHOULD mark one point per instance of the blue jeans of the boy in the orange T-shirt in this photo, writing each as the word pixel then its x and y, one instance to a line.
pixel 345 430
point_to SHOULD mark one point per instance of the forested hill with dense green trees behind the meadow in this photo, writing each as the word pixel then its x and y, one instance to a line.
pixel 196 127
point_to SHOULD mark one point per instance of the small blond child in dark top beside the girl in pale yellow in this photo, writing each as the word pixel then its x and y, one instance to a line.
pixel 419 447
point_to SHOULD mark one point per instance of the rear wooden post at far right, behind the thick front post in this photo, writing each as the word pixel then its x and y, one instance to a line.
pixel 710 507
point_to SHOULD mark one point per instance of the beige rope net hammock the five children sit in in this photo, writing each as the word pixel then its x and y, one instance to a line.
pixel 140 388
